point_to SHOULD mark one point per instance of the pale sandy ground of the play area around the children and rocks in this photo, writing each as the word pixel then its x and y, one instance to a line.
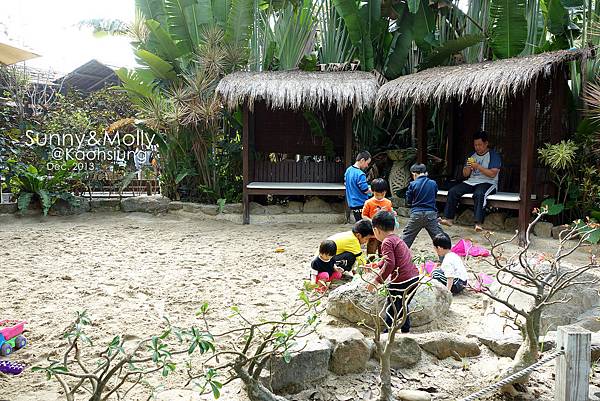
pixel 130 270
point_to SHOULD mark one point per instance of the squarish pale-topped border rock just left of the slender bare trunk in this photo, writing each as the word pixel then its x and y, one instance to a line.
pixel 351 350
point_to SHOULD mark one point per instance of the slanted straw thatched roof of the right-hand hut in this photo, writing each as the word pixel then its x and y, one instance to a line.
pixel 493 79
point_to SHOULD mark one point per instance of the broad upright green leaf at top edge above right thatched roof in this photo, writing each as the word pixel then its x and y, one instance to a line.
pixel 508 32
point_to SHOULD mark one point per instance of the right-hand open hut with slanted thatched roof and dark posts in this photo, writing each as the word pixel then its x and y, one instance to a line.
pixel 520 102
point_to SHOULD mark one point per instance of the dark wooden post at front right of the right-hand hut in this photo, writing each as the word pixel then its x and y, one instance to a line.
pixel 527 157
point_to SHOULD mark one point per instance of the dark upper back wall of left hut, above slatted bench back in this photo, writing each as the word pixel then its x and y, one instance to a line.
pixel 286 131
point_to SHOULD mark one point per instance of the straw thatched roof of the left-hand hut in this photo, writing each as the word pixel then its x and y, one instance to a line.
pixel 296 90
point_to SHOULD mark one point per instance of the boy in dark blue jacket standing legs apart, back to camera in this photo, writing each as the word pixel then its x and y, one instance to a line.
pixel 420 197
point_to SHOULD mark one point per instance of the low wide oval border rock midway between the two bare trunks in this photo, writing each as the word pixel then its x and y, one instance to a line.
pixel 444 345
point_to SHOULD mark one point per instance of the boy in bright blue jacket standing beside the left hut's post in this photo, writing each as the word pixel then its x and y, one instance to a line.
pixel 357 189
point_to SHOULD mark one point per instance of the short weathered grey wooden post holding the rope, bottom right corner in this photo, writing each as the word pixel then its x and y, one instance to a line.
pixel 573 368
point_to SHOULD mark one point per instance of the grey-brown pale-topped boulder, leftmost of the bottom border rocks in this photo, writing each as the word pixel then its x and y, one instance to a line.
pixel 309 362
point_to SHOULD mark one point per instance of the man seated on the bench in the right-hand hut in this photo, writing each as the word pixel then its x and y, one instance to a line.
pixel 481 170
